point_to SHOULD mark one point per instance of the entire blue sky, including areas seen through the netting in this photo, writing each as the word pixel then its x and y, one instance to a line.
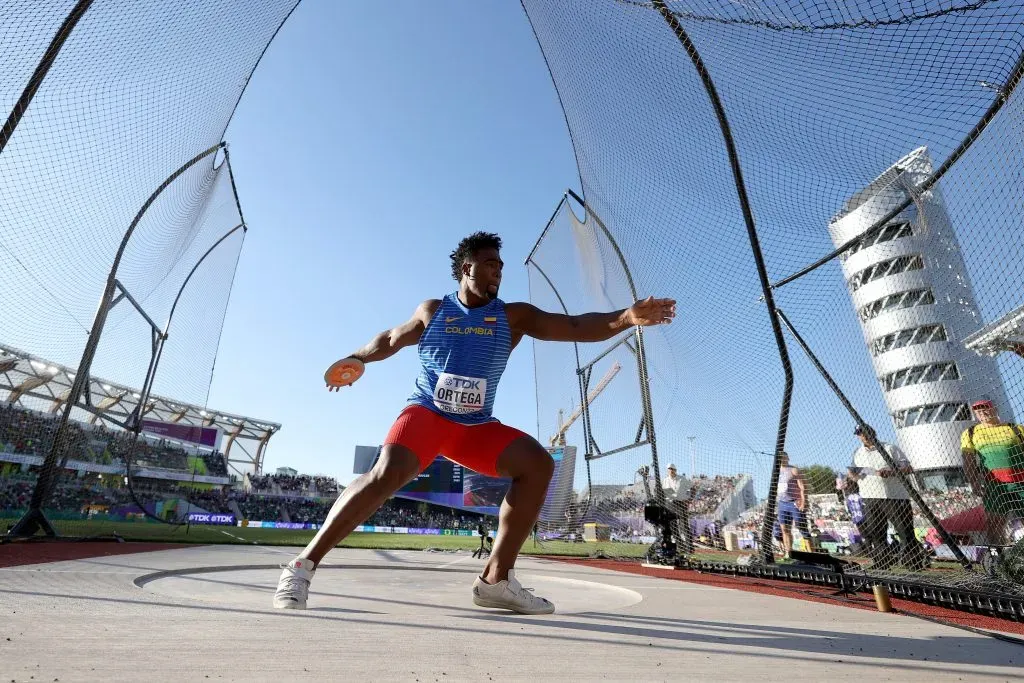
pixel 373 138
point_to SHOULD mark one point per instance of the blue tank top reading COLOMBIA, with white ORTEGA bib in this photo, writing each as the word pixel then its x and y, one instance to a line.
pixel 463 354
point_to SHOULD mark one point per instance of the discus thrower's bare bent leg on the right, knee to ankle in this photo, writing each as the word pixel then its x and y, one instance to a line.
pixel 531 468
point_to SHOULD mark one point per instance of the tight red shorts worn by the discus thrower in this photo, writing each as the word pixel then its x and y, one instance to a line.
pixel 429 436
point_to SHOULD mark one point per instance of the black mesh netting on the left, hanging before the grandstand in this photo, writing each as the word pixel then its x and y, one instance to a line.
pixel 115 163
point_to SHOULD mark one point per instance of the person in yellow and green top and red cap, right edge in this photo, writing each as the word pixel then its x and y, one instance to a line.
pixel 994 465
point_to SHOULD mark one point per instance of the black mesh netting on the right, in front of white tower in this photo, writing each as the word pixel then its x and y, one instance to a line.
pixel 892 131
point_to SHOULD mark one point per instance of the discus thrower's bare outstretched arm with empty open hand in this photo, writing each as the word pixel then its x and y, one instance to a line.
pixel 528 320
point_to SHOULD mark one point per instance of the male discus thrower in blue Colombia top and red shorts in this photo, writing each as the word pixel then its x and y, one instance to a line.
pixel 464 343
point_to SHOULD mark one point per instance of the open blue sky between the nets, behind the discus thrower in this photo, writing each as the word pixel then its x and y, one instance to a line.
pixel 369 143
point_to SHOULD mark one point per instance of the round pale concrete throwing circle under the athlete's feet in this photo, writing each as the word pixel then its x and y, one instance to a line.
pixel 377 590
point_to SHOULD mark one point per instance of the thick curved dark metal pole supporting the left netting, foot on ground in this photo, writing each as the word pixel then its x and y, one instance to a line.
pixel 35 521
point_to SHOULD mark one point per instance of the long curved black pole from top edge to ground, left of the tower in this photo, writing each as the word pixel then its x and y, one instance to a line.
pixel 738 177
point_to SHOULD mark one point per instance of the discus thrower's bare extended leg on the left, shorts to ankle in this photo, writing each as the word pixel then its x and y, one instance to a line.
pixel 397 467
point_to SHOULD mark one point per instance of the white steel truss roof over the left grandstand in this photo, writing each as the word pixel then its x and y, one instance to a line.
pixel 45 383
